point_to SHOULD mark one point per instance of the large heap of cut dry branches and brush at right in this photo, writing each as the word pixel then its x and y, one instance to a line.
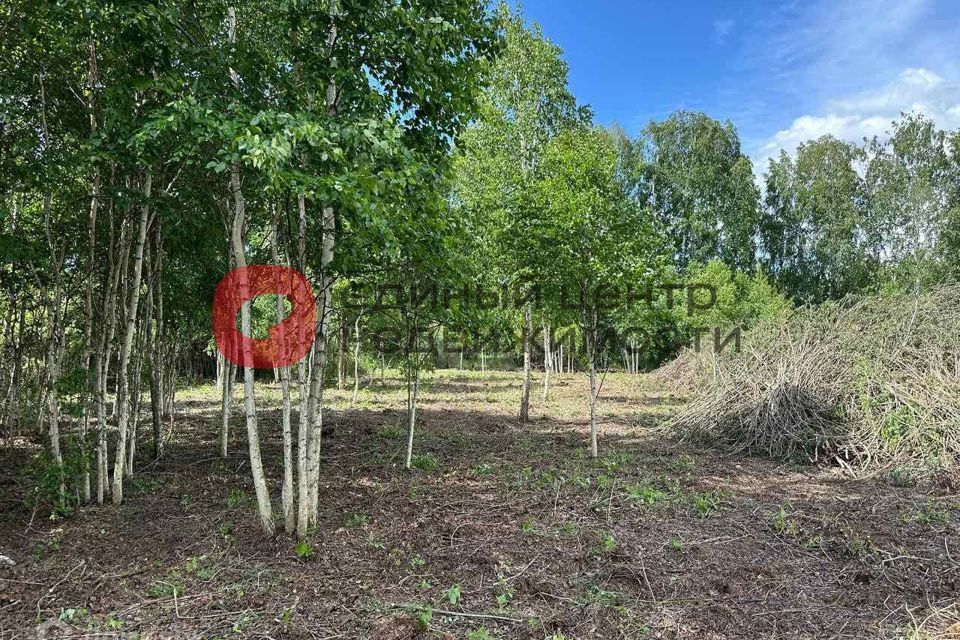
pixel 869 383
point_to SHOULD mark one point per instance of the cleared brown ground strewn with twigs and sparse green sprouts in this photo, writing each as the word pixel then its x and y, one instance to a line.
pixel 505 531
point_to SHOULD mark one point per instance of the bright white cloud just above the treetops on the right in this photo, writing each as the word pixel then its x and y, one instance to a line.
pixel 870 113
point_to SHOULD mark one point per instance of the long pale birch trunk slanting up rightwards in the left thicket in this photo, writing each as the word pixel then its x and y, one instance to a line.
pixel 123 373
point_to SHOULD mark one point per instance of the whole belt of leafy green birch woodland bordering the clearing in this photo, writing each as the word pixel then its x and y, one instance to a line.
pixel 146 150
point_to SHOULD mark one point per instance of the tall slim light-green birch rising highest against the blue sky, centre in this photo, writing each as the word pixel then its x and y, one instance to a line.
pixel 525 103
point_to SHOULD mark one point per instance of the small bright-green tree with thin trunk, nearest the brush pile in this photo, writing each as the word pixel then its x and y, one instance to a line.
pixel 591 237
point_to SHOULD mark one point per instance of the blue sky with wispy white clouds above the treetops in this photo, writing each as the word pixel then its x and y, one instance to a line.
pixel 783 72
